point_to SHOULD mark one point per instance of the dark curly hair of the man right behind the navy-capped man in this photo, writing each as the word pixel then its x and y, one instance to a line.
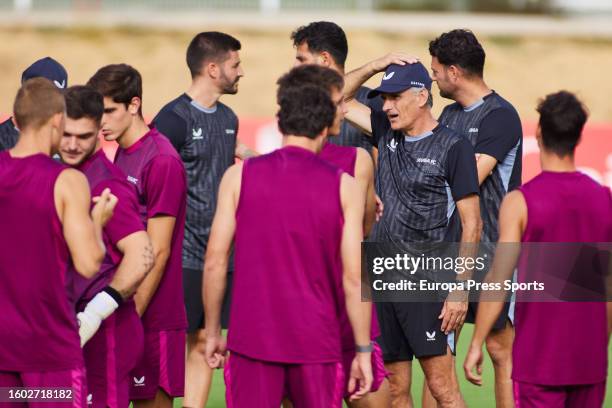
pixel 460 48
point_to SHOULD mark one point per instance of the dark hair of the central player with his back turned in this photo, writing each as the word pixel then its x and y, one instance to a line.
pixel 306 108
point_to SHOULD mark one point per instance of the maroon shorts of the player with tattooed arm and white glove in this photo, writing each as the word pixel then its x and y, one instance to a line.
pixel 110 355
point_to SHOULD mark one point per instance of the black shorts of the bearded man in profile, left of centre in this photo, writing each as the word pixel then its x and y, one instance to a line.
pixel 192 291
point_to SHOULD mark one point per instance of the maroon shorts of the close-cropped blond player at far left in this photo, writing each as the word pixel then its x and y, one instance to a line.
pixel 73 381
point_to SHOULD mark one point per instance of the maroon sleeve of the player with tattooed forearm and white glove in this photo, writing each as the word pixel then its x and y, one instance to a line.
pixel 126 219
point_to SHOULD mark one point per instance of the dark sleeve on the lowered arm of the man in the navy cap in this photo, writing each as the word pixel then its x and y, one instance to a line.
pixel 461 172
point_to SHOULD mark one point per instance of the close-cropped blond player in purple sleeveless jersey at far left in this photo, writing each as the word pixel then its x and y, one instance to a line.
pixel 47 224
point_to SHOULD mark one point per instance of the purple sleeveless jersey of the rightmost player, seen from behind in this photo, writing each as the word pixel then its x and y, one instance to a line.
pixel 563 343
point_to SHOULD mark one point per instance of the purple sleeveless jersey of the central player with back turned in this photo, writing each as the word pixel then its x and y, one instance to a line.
pixel 289 222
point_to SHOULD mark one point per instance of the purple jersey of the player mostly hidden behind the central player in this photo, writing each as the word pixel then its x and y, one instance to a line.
pixel 345 158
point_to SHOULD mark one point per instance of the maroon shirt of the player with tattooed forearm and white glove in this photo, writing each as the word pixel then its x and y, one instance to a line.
pixel 101 174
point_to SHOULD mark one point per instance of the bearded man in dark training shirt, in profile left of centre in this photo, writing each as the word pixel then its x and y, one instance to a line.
pixel 203 130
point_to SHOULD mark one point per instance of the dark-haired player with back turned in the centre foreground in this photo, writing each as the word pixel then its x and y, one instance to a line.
pixel 295 220
